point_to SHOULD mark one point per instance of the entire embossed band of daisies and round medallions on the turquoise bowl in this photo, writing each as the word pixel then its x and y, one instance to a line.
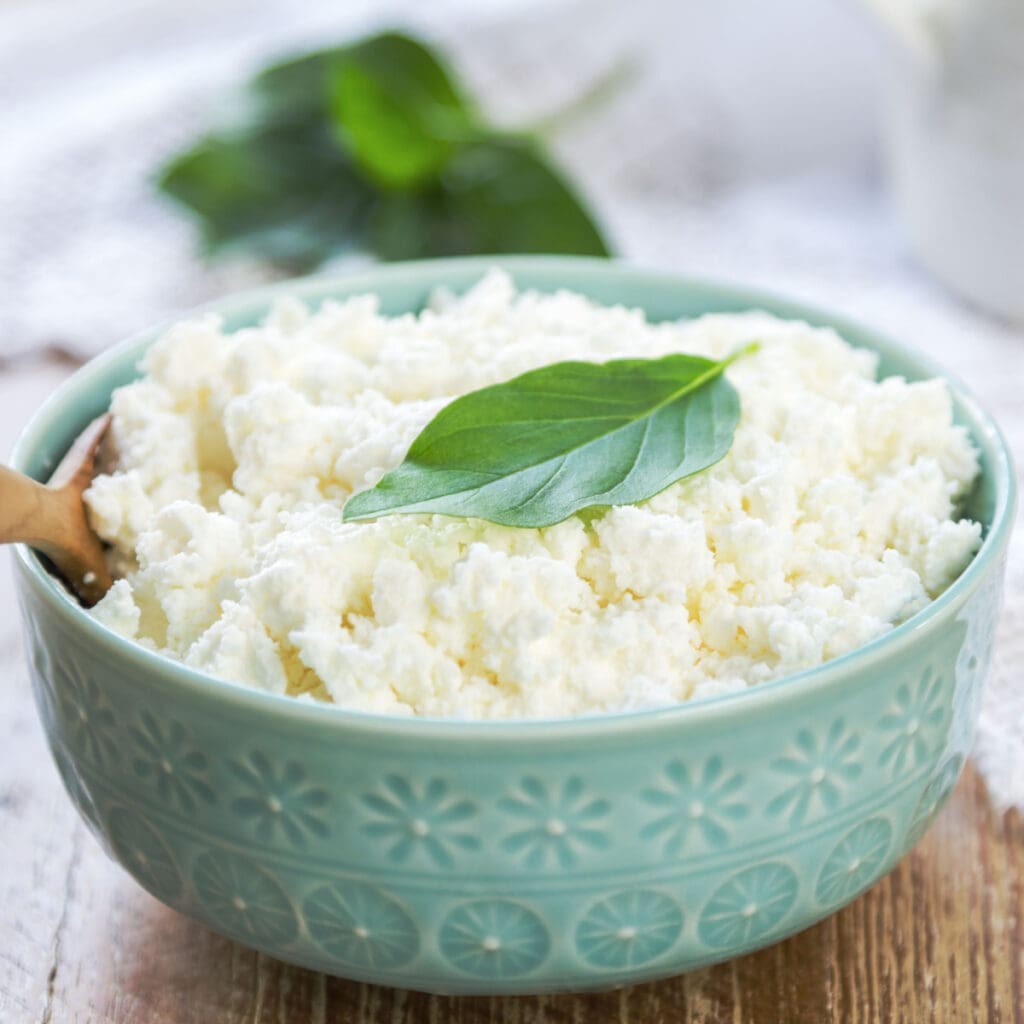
pixel 700 805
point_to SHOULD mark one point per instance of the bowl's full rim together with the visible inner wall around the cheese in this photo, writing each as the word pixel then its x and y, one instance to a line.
pixel 404 288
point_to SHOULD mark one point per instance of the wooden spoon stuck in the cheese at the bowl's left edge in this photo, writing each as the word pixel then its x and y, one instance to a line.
pixel 52 518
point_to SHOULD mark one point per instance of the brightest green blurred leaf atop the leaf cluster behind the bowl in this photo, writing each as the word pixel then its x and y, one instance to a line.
pixel 398 108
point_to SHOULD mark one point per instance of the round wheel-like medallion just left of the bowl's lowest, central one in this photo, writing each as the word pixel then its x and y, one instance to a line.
pixel 361 926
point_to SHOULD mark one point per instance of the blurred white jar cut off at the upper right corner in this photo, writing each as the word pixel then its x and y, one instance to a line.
pixel 956 142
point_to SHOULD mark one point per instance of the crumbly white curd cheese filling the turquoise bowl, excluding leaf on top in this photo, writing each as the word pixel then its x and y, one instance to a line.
pixel 832 519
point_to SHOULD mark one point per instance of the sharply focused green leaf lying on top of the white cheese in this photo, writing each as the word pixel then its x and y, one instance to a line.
pixel 570 437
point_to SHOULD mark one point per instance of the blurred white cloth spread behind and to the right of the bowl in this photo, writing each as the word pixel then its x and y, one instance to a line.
pixel 743 150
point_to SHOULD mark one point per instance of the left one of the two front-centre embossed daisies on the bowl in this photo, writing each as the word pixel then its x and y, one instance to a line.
pixel 428 822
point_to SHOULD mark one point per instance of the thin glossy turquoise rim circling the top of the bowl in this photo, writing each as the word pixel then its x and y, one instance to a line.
pixel 285 709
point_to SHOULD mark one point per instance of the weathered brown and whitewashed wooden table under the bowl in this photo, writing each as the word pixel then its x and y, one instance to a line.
pixel 941 941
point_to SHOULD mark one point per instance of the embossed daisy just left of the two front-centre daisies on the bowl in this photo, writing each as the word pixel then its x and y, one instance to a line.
pixel 280 802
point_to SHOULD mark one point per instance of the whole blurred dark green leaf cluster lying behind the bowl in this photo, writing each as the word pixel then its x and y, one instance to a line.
pixel 372 146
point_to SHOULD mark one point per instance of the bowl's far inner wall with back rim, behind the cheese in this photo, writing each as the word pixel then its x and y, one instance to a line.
pixel 405 288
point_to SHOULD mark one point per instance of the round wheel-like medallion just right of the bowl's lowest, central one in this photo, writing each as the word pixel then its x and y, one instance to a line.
pixel 629 929
